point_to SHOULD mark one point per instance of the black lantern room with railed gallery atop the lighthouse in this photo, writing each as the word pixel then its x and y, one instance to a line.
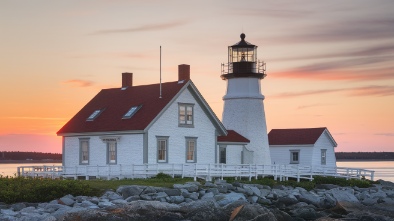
pixel 242 61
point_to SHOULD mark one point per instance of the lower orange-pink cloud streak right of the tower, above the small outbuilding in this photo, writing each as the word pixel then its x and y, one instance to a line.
pixel 358 91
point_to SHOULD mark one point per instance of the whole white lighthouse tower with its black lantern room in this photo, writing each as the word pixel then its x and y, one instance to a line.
pixel 243 103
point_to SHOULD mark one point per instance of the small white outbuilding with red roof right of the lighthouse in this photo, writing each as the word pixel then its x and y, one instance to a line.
pixel 303 146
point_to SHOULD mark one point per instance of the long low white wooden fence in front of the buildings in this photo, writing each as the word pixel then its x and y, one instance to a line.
pixel 204 171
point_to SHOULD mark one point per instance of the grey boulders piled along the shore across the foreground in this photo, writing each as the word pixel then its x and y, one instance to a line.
pixel 215 201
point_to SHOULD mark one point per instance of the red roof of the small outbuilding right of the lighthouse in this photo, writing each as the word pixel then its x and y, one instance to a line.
pixel 295 136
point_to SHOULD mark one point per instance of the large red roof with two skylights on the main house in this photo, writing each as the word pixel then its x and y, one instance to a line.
pixel 116 102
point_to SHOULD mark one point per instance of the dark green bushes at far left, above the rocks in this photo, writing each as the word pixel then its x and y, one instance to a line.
pixel 33 190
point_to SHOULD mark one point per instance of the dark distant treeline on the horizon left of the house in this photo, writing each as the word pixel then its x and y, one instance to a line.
pixel 16 155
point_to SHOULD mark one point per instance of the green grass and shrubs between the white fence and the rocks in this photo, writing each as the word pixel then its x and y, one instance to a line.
pixel 23 189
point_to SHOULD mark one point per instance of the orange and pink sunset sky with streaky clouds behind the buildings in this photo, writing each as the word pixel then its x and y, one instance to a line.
pixel 329 63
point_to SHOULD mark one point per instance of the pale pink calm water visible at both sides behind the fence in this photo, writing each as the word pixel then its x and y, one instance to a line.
pixel 383 169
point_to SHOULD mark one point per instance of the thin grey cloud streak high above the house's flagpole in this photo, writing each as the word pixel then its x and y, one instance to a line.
pixel 149 27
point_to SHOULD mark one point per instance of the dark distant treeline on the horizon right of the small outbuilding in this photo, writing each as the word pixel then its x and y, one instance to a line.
pixel 364 155
